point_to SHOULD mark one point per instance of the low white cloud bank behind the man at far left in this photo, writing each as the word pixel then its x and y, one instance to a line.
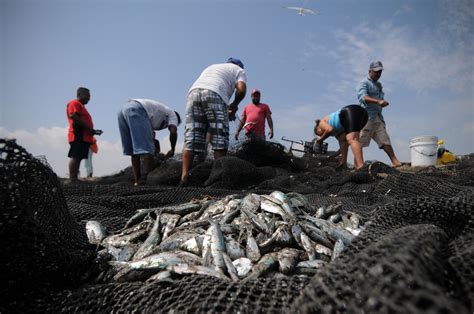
pixel 52 143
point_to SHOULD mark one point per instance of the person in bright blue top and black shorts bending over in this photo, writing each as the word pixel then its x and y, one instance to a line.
pixel 344 124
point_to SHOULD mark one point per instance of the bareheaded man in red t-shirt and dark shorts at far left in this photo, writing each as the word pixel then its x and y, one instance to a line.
pixel 81 131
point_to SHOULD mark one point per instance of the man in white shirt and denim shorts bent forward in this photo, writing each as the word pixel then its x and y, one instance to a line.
pixel 138 120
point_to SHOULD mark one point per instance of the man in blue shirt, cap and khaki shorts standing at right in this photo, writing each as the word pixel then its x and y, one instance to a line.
pixel 371 97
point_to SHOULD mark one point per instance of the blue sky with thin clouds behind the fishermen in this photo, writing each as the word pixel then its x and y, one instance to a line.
pixel 305 66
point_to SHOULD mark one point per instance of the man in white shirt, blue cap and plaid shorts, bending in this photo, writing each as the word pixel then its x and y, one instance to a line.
pixel 208 110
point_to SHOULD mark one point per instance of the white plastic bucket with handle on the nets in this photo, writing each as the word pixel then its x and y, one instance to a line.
pixel 424 150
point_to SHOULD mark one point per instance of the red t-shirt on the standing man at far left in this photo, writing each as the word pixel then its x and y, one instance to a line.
pixel 76 132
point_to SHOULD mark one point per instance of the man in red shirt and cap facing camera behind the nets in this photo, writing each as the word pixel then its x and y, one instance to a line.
pixel 253 118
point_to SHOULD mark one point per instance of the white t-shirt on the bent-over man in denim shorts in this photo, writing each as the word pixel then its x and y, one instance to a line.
pixel 160 115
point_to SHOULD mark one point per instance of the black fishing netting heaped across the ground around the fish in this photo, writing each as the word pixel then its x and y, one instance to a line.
pixel 415 255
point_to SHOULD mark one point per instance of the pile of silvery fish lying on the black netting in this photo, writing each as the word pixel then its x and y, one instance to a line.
pixel 232 238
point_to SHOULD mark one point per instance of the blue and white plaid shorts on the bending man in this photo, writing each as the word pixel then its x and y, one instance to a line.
pixel 206 112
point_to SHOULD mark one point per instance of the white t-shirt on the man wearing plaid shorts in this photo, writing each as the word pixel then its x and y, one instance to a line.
pixel 221 79
